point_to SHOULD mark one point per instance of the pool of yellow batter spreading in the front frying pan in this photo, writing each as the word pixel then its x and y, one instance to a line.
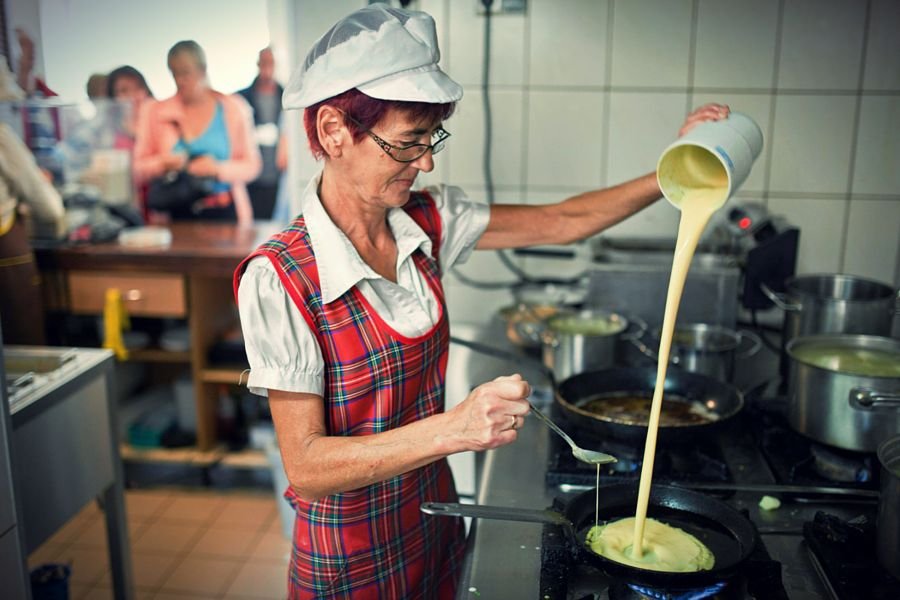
pixel 666 548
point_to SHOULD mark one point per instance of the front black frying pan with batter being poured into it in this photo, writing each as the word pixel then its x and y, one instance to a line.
pixel 729 535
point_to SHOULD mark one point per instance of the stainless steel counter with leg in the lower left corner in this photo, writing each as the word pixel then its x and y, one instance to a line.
pixel 65 448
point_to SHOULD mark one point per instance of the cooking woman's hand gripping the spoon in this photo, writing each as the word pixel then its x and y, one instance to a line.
pixel 491 413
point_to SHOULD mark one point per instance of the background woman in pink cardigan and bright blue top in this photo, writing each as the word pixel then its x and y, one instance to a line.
pixel 203 131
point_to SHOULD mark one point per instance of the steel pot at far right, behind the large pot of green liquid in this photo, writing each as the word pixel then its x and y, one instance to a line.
pixel 818 304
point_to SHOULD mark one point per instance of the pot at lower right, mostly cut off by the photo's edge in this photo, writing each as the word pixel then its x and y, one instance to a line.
pixel 888 525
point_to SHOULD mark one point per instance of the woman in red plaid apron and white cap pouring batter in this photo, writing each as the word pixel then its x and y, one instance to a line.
pixel 345 321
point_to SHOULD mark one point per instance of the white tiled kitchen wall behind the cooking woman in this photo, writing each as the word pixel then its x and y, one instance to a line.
pixel 589 92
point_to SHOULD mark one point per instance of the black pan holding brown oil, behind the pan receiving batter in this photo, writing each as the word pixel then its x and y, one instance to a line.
pixel 614 402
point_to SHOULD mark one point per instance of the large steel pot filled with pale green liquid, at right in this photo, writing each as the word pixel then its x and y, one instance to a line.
pixel 844 390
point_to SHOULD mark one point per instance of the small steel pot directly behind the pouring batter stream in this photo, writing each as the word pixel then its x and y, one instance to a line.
pixel 705 349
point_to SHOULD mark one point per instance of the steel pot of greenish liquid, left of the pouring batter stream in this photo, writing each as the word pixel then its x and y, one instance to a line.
pixel 585 340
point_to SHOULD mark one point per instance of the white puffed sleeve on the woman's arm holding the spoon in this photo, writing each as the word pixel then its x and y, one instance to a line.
pixel 283 352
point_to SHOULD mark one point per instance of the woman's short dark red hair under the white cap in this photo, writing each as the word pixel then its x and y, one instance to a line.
pixel 368 111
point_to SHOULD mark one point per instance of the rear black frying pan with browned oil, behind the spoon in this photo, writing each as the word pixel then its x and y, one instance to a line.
pixel 717 397
